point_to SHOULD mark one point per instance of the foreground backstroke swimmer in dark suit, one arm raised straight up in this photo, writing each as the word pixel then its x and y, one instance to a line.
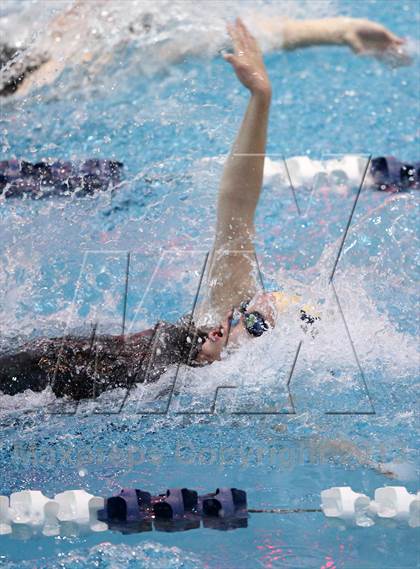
pixel 235 310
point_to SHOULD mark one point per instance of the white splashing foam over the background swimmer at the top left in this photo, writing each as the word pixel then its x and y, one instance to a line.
pixel 157 35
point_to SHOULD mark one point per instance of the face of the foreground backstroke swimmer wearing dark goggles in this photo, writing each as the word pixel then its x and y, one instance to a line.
pixel 226 335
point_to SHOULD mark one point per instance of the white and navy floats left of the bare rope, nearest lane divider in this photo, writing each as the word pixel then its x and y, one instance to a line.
pixel 180 507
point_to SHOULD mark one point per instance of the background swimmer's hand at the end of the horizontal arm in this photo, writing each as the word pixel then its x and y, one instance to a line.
pixel 369 38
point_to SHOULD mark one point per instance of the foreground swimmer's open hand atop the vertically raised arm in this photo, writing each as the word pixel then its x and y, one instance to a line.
pixel 247 60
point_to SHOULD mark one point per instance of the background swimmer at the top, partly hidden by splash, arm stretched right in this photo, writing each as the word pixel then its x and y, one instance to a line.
pixel 71 39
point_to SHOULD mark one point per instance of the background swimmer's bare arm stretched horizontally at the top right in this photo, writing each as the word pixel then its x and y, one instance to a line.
pixel 362 36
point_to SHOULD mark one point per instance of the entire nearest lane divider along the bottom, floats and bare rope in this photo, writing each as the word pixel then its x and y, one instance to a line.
pixel 179 509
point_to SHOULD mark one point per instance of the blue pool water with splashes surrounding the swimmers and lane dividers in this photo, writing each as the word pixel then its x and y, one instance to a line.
pixel 64 262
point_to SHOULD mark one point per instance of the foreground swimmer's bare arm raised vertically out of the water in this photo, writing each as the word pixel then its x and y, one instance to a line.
pixel 231 264
